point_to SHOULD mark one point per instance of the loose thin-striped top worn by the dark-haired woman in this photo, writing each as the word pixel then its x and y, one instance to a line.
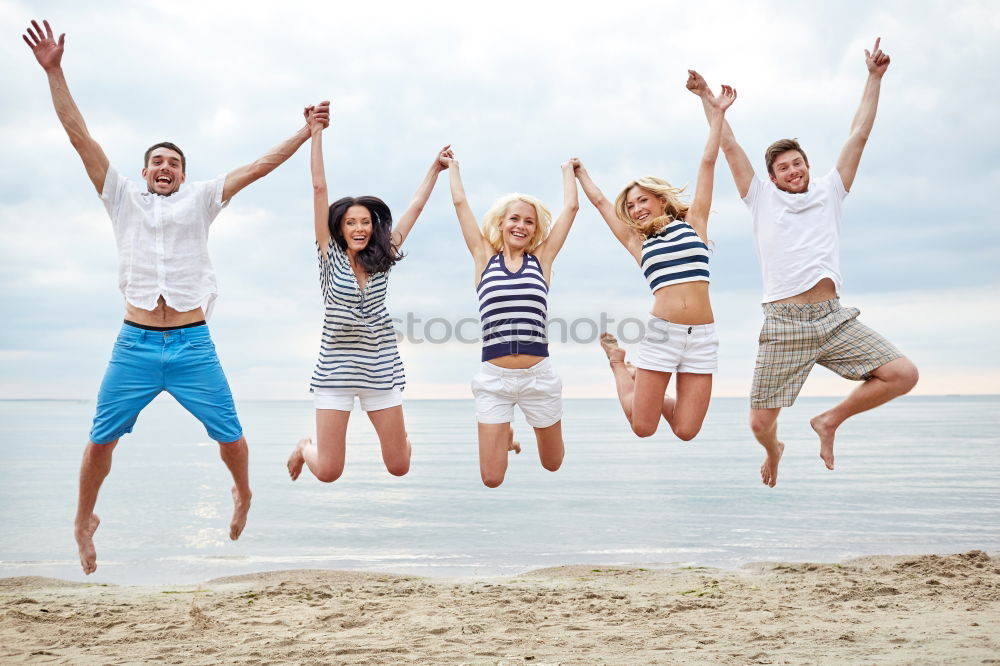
pixel 358 349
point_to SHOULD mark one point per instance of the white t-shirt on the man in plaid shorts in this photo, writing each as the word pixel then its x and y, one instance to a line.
pixel 797 235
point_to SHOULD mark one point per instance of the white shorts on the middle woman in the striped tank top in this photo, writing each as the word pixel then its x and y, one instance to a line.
pixel 536 390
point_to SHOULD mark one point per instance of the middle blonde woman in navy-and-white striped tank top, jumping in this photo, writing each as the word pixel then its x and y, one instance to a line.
pixel 513 255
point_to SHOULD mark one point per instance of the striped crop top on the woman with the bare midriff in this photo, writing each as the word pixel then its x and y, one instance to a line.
pixel 674 255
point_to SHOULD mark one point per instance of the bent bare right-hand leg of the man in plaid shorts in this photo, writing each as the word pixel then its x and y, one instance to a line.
pixel 887 382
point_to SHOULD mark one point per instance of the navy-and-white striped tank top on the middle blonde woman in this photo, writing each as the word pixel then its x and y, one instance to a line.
pixel 513 308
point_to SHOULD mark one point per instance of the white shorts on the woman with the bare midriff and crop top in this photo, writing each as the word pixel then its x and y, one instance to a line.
pixel 670 347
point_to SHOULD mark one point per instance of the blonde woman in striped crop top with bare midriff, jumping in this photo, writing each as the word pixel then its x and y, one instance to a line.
pixel 668 238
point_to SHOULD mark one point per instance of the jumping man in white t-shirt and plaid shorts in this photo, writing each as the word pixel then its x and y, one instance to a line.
pixel 796 225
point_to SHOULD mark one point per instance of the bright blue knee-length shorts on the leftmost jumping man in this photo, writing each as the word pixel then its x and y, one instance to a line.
pixel 180 361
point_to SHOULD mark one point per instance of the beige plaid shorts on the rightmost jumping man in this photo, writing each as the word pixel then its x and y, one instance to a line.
pixel 796 336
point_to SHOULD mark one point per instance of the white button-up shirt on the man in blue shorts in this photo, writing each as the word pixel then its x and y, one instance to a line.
pixel 163 241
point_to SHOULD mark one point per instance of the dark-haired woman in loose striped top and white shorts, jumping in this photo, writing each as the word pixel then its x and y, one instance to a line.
pixel 357 247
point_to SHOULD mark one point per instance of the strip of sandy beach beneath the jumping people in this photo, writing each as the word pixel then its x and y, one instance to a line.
pixel 921 609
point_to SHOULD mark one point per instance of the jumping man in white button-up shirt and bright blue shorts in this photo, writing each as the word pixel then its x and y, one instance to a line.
pixel 169 286
